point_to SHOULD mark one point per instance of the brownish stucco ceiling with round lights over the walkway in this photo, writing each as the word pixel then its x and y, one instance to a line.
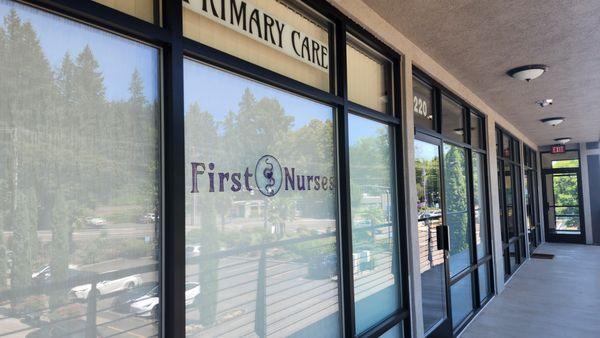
pixel 477 41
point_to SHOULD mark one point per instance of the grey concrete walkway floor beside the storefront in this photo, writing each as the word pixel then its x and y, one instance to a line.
pixel 547 298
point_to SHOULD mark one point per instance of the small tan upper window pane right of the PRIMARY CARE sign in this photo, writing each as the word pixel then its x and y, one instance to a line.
pixel 369 76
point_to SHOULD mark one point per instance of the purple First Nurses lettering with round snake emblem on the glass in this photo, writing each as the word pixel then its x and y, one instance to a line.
pixel 268 177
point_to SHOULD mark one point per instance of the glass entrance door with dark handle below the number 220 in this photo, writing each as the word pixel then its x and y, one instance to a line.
pixel 433 243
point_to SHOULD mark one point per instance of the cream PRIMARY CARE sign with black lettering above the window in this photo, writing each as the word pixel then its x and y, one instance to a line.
pixel 259 25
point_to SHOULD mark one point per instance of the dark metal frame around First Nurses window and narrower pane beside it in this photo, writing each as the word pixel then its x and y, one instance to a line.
pixel 175 47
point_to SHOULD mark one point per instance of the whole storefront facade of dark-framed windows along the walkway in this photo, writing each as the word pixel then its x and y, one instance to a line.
pixel 247 168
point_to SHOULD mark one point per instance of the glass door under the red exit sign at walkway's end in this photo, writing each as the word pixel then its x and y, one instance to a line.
pixel 562 206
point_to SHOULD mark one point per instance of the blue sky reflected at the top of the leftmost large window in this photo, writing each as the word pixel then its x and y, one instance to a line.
pixel 58 36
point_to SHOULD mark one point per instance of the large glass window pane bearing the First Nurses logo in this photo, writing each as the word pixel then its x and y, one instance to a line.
pixel 260 209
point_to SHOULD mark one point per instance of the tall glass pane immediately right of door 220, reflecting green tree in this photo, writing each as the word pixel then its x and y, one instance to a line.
pixel 457 207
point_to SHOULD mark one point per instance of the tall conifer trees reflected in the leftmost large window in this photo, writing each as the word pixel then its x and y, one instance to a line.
pixel 68 150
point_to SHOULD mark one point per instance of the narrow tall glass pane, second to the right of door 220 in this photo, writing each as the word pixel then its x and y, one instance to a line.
pixel 481 236
